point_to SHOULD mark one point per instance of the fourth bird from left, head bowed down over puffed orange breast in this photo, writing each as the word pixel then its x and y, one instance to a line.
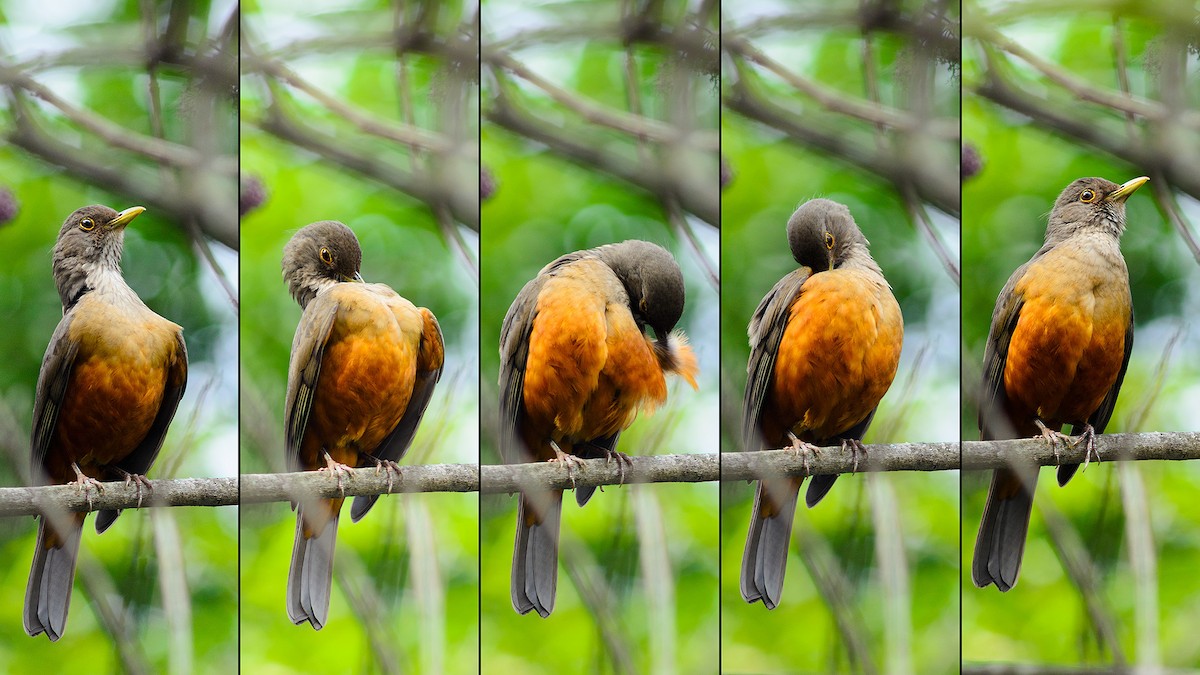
pixel 825 347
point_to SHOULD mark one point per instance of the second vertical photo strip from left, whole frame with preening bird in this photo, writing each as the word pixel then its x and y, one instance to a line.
pixel 365 115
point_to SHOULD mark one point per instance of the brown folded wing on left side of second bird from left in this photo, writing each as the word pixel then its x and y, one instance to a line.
pixel 308 350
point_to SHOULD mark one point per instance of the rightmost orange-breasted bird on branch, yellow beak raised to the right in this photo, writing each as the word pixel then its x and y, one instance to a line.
pixel 1057 354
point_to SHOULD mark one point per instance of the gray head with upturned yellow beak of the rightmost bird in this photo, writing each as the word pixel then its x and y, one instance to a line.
pixel 1091 204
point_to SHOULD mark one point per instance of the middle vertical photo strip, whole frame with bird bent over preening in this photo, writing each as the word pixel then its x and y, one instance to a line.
pixel 599 129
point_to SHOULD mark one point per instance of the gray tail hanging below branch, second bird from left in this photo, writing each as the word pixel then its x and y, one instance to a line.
pixel 311 577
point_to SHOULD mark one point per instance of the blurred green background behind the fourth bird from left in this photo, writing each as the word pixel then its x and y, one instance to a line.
pixel 859 105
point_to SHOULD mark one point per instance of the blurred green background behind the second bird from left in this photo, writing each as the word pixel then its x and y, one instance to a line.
pixel 364 112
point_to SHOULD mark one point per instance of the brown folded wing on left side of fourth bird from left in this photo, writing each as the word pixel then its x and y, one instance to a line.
pixel 766 332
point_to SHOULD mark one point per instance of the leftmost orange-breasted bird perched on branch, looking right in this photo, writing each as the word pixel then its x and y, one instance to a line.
pixel 110 385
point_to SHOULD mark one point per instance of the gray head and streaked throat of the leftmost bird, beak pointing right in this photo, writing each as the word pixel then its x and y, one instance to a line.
pixel 88 249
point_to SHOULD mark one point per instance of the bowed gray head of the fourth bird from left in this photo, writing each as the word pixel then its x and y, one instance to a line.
pixel 824 236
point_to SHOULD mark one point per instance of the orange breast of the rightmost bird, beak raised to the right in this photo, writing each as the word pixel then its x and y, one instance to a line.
pixel 1069 344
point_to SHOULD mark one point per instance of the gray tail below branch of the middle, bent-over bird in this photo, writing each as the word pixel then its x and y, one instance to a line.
pixel 536 554
